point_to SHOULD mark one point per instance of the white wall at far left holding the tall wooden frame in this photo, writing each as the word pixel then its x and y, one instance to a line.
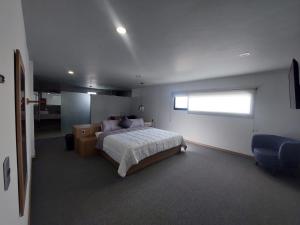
pixel 13 37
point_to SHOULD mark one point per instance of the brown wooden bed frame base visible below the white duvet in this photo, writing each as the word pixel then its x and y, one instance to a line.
pixel 145 162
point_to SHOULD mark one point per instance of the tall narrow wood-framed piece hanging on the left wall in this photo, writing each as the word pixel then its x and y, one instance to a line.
pixel 20 110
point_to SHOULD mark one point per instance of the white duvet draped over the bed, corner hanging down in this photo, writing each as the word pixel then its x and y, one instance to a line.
pixel 130 148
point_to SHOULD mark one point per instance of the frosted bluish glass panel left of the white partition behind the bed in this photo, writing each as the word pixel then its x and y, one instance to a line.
pixel 75 109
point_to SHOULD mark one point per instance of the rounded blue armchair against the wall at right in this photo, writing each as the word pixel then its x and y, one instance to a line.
pixel 275 152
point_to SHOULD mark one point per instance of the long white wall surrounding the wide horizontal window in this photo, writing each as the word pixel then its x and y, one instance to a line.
pixel 272 112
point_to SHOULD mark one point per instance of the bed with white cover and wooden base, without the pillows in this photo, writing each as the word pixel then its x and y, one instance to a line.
pixel 132 149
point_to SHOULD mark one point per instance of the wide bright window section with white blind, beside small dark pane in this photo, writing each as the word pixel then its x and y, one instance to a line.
pixel 224 102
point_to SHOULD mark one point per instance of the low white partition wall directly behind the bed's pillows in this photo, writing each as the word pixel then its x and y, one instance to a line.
pixel 103 106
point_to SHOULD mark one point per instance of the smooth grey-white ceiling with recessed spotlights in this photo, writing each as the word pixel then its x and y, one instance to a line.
pixel 166 41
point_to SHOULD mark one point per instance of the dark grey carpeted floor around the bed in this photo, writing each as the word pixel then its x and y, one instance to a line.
pixel 201 186
